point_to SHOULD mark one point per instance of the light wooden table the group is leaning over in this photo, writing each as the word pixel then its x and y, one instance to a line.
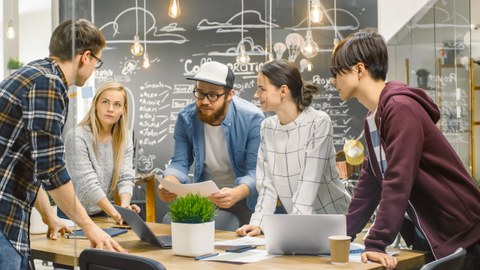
pixel 67 251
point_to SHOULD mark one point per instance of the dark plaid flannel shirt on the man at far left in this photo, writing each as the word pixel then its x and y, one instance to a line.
pixel 33 110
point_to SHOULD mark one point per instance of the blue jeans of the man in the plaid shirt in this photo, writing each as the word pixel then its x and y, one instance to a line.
pixel 9 256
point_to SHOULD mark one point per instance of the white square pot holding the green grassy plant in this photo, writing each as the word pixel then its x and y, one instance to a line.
pixel 193 239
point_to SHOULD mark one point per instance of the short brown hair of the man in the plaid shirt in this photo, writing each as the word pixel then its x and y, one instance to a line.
pixel 86 35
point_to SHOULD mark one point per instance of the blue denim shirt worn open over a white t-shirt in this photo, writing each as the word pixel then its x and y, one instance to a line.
pixel 241 127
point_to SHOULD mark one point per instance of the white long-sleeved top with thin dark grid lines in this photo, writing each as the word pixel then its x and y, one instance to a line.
pixel 296 164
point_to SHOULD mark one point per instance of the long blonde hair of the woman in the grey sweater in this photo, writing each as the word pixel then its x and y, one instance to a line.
pixel 119 130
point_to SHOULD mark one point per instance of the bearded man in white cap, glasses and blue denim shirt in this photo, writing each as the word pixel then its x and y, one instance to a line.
pixel 219 133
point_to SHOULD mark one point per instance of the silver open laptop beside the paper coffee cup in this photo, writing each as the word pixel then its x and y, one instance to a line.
pixel 302 234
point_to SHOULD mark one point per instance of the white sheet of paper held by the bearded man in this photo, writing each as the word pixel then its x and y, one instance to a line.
pixel 205 188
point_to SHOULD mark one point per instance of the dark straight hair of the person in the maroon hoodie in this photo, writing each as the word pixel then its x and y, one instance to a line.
pixel 365 46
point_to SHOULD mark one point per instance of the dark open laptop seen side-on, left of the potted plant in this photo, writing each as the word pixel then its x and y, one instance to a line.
pixel 141 229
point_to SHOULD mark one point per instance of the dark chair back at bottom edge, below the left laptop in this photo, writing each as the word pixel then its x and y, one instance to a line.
pixel 97 259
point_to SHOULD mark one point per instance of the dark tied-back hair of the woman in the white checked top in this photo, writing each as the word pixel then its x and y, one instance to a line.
pixel 282 72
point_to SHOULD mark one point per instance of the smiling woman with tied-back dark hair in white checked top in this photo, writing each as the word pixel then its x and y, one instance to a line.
pixel 296 158
